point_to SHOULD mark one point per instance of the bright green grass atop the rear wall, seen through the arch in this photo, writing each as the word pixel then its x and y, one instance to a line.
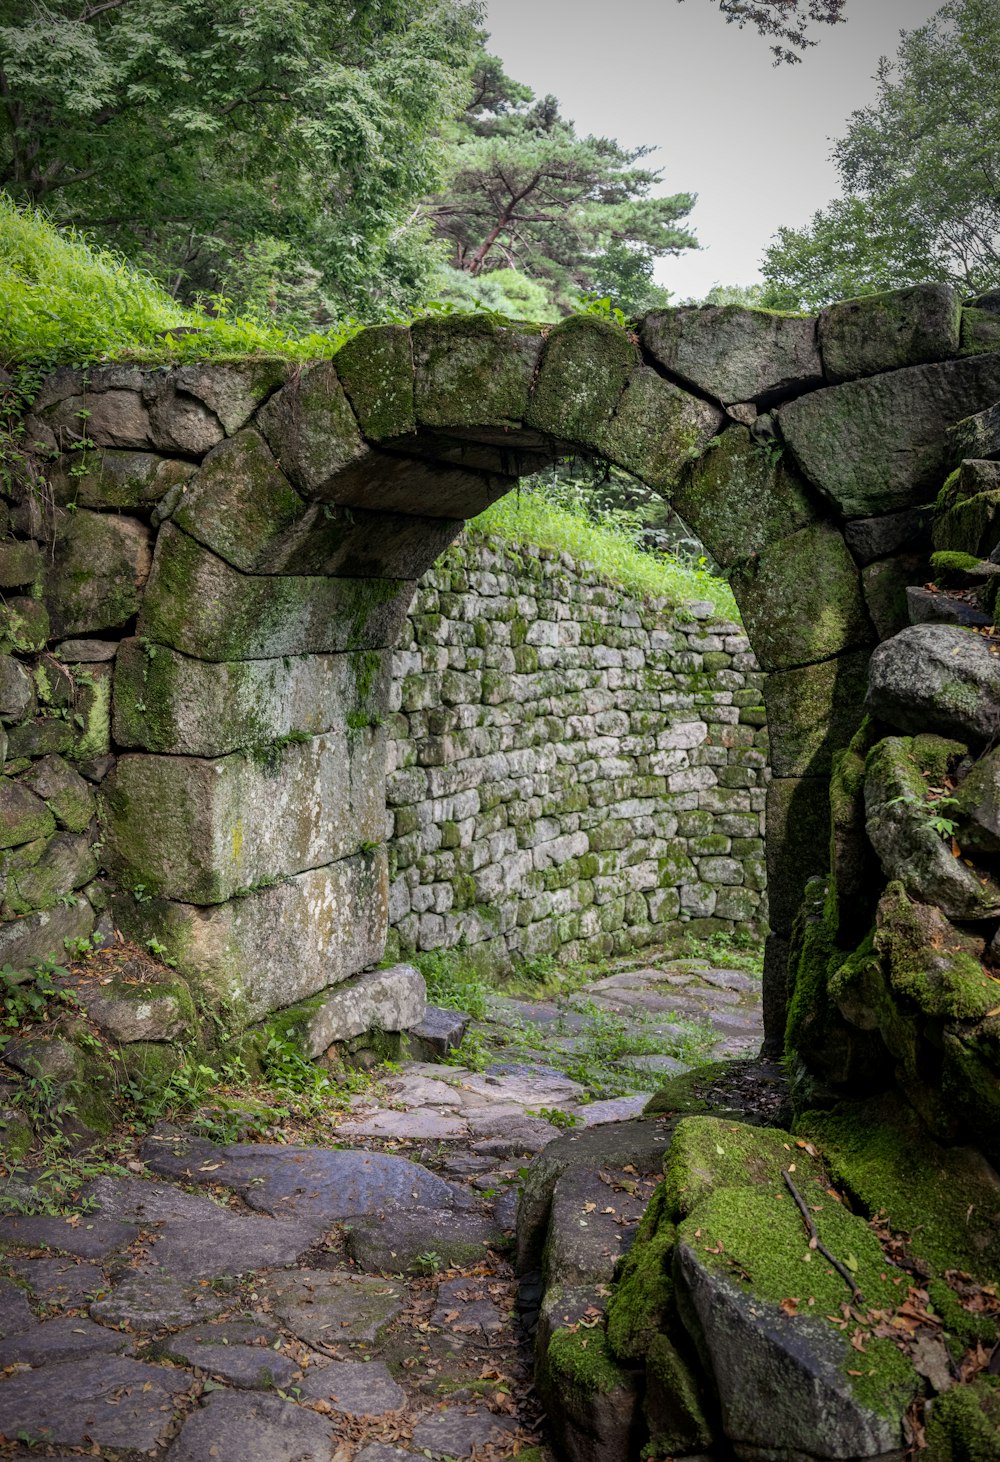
pixel 531 517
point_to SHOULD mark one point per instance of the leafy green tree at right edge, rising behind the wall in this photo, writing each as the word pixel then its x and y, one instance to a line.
pixel 920 170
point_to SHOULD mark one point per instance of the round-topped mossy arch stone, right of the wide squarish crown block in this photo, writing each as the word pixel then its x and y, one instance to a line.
pixel 584 372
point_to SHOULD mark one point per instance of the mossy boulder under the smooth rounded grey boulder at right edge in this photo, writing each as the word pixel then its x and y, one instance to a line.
pixel 904 781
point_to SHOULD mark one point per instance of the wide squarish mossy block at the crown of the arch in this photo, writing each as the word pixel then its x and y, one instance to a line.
pixel 473 372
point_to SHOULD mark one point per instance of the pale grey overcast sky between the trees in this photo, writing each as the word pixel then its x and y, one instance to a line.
pixel 751 140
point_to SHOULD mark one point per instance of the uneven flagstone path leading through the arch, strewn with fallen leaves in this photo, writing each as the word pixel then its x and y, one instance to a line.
pixel 347 1303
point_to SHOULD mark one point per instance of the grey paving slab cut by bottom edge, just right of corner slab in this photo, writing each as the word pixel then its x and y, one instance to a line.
pixel 267 1429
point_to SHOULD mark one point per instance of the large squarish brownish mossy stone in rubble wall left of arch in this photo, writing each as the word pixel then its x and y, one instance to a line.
pixel 97 574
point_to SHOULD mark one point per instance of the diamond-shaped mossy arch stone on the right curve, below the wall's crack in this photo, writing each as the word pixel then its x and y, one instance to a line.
pixel 743 495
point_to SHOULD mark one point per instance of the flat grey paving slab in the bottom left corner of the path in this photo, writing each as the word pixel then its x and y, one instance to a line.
pixel 106 1400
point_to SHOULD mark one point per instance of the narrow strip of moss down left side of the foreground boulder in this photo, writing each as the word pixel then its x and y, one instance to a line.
pixel 644 1290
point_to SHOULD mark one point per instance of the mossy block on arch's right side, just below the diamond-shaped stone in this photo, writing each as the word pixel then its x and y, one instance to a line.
pixel 802 600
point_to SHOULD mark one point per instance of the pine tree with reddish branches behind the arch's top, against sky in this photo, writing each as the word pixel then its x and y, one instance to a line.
pixel 524 192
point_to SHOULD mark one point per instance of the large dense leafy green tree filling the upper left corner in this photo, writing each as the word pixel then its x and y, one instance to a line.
pixel 274 145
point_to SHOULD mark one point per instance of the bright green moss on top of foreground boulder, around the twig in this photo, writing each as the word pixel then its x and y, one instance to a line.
pixel 765 1249
